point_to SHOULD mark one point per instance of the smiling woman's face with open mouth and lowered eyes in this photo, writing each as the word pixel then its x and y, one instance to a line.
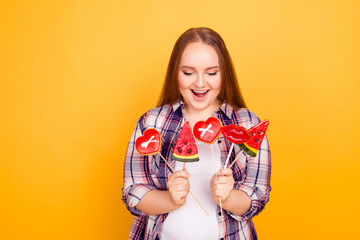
pixel 199 77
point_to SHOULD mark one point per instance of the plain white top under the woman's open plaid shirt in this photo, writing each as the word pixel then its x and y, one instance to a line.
pixel 190 221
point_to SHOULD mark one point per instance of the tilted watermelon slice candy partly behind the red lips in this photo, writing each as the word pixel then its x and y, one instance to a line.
pixel 257 133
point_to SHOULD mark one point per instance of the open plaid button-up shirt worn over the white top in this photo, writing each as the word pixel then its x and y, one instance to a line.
pixel 145 173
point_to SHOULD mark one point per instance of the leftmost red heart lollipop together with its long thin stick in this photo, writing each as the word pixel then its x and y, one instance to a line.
pixel 149 144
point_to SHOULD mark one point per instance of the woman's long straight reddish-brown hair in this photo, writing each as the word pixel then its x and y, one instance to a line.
pixel 230 90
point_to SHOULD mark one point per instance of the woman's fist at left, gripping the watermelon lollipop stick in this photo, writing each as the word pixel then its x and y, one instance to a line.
pixel 178 185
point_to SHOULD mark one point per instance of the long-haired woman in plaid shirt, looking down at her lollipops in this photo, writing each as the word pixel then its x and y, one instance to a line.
pixel 200 82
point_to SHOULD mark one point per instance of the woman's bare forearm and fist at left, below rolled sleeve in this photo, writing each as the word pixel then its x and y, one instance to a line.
pixel 157 202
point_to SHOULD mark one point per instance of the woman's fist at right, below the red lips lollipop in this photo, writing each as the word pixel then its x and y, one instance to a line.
pixel 221 185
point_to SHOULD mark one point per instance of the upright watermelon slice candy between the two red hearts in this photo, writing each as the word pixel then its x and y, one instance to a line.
pixel 185 149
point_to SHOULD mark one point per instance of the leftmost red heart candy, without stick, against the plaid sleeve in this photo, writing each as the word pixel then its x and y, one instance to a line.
pixel 149 143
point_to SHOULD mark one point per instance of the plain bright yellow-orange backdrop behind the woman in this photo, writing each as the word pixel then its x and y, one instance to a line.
pixel 76 75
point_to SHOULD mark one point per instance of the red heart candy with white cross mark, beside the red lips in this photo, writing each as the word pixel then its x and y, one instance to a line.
pixel 207 131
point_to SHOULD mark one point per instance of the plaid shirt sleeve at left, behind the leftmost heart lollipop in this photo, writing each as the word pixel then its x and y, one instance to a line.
pixel 137 179
